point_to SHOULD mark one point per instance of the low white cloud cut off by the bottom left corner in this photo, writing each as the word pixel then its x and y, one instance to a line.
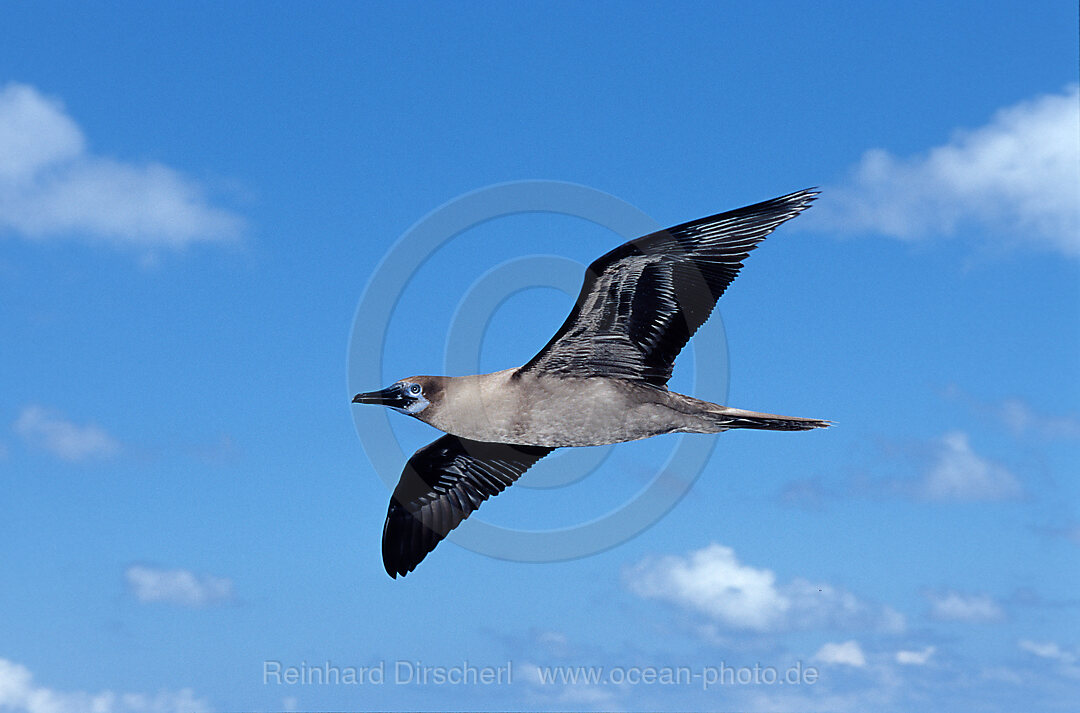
pixel 19 694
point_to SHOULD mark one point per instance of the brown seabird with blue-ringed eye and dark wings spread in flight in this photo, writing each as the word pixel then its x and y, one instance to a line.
pixel 601 380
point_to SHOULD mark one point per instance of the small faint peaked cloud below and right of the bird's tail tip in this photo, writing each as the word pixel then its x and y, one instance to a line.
pixel 960 474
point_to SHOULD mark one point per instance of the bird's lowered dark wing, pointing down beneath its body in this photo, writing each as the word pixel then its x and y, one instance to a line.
pixel 441 486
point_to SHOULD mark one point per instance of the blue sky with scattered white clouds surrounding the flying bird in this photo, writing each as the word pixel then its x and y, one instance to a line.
pixel 194 199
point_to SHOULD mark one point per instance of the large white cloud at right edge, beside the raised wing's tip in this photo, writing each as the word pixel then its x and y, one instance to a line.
pixel 1018 179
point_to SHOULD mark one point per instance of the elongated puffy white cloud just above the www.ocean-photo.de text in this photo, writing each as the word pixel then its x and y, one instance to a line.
pixel 712 582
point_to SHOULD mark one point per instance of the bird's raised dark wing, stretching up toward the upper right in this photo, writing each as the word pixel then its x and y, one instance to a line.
pixel 643 302
